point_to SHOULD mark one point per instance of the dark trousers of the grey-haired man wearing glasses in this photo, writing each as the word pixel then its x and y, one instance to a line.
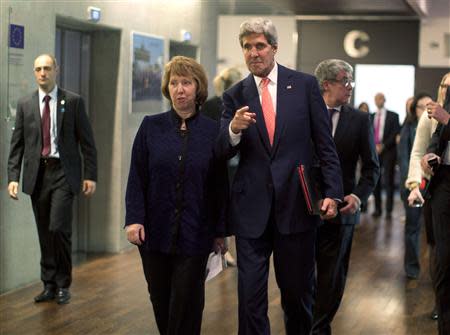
pixel 333 247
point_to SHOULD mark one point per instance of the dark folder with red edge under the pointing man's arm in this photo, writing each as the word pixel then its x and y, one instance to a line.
pixel 310 184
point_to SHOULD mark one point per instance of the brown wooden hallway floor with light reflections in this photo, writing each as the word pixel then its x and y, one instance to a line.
pixel 109 295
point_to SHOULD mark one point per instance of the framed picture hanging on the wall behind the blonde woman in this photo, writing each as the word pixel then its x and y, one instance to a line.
pixel 147 54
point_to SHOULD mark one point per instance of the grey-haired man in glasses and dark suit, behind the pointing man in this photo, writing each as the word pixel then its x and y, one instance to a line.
pixel 353 136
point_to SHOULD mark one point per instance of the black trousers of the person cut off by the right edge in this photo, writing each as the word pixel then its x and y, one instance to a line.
pixel 440 200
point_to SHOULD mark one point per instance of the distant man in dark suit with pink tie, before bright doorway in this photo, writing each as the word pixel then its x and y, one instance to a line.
pixel 386 128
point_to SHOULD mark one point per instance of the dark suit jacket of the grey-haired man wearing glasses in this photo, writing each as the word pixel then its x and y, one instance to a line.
pixel 354 139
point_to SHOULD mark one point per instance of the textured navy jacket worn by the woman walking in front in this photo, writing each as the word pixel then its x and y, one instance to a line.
pixel 176 187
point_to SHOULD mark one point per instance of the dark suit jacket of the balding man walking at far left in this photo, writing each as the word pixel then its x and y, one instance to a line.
pixel 74 133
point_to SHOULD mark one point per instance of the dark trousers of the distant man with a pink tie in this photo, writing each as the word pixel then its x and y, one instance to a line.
pixel 386 181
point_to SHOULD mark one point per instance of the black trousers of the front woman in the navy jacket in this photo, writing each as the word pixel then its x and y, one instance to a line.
pixel 176 284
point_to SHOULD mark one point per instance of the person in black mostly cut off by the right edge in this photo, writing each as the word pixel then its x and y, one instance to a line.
pixel 439 150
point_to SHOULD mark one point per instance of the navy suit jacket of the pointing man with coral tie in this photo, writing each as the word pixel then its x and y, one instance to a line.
pixel 267 176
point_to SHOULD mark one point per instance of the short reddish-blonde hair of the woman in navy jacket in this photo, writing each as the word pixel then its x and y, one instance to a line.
pixel 188 67
